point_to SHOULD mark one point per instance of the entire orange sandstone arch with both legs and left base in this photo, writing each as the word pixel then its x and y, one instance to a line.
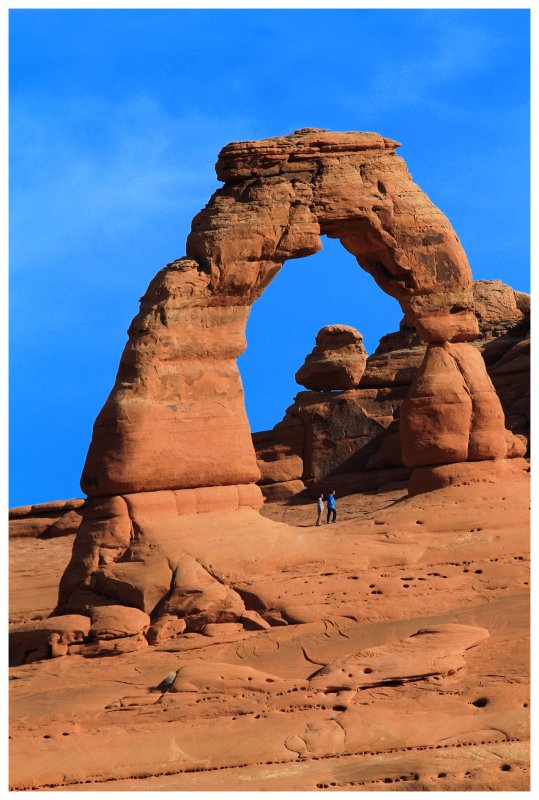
pixel 172 439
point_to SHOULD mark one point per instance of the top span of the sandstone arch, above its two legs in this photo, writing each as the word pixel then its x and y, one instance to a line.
pixel 281 194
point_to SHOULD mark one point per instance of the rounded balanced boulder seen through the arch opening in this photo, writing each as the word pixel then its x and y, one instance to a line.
pixel 337 361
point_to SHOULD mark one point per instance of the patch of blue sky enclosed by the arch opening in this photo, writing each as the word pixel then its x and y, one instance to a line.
pixel 325 288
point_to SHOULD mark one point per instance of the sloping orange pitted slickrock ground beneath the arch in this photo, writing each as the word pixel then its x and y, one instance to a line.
pixel 400 662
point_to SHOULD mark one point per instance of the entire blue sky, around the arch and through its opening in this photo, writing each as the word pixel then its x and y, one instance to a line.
pixel 116 120
